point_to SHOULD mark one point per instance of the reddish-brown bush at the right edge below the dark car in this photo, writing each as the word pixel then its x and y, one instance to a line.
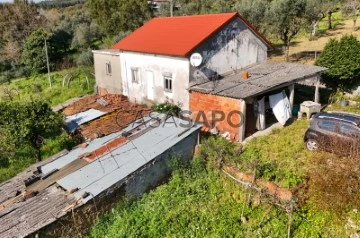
pixel 334 183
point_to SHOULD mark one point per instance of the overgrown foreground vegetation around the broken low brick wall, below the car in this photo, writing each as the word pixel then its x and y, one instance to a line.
pixel 201 201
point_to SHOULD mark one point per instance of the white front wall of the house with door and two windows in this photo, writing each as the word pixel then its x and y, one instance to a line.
pixel 151 70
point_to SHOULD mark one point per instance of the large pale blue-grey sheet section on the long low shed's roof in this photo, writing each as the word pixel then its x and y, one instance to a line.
pixel 126 159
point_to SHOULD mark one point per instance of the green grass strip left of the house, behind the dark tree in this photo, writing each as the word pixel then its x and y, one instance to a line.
pixel 39 87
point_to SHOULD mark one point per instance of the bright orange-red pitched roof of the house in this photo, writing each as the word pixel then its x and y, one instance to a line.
pixel 177 36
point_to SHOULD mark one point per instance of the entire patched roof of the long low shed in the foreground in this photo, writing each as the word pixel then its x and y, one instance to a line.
pixel 91 169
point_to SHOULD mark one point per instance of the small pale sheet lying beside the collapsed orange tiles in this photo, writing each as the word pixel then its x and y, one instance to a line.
pixel 74 121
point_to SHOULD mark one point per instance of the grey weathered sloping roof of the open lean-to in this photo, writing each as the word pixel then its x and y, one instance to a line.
pixel 262 78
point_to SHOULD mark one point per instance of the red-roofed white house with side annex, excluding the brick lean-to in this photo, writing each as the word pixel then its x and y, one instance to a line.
pixel 155 60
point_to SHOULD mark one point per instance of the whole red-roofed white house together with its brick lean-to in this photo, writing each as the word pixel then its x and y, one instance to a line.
pixel 207 64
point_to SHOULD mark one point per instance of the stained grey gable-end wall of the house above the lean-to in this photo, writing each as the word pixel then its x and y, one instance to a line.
pixel 234 47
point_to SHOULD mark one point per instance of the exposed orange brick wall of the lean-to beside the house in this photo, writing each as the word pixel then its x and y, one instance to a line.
pixel 208 104
